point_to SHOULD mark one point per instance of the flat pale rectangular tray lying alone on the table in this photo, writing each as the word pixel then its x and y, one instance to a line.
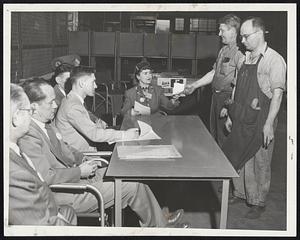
pixel 148 151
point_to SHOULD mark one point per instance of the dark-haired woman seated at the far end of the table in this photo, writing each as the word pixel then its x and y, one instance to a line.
pixel 146 98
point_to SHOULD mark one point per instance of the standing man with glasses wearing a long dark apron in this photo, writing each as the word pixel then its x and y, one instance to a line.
pixel 257 98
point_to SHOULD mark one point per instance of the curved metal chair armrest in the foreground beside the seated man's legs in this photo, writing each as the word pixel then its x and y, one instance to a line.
pixel 75 187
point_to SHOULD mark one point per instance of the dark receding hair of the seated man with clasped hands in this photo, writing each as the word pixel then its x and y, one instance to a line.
pixel 33 90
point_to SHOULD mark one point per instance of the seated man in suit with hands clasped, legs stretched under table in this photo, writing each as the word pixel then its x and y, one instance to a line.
pixel 59 163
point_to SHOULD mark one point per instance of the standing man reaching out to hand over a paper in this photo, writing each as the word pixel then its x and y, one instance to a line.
pixel 223 74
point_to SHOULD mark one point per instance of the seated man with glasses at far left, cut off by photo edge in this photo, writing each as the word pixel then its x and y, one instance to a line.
pixel 31 201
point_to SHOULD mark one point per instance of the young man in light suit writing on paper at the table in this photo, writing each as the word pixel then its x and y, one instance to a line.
pixel 73 121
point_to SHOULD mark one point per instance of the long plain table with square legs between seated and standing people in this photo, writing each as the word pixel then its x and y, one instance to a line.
pixel 202 158
